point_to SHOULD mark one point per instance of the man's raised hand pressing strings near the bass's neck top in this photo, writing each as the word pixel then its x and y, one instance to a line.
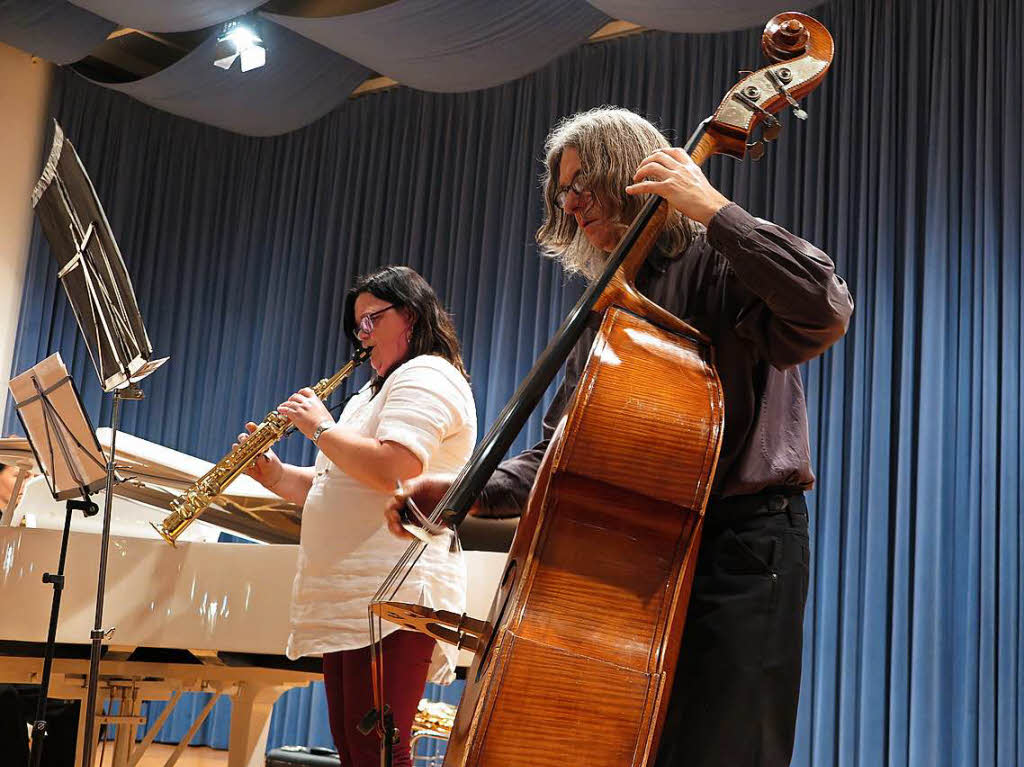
pixel 672 175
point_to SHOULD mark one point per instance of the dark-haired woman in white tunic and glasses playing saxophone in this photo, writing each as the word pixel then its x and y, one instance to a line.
pixel 416 413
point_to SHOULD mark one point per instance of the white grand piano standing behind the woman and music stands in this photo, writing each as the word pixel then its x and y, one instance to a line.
pixel 202 617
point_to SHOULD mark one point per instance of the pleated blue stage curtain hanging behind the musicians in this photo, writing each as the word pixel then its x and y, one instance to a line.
pixel 910 174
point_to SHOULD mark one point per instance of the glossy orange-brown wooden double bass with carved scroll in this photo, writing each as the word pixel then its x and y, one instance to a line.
pixel 575 663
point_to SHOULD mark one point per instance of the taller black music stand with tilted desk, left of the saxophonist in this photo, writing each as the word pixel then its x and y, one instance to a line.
pixel 94 275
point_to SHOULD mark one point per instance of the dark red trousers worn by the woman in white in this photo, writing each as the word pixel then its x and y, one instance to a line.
pixel 350 696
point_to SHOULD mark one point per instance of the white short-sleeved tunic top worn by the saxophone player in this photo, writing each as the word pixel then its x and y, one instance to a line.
pixel 346 550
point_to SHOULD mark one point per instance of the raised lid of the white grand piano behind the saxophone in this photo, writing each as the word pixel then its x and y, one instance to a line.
pixel 154 476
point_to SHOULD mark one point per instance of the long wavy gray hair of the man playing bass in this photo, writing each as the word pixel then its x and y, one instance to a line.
pixel 612 143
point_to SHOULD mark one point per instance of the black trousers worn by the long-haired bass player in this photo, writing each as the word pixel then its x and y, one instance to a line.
pixel 734 701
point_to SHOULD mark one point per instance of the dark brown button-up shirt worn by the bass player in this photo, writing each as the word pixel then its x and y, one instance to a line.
pixel 770 302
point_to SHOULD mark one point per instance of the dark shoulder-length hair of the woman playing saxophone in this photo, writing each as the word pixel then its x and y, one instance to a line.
pixel 434 332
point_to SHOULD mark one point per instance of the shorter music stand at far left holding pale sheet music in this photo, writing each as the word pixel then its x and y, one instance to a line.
pixel 70 458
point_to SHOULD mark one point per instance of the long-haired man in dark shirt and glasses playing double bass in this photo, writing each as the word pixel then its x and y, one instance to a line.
pixel 770 302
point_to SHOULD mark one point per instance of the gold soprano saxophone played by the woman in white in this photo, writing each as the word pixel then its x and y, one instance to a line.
pixel 196 499
